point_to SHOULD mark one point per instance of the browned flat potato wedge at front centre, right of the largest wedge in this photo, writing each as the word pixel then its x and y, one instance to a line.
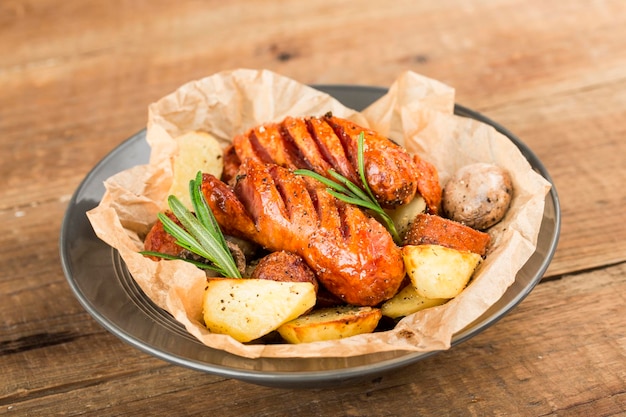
pixel 331 324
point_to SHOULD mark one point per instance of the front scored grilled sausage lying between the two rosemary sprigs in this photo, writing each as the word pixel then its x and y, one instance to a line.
pixel 353 255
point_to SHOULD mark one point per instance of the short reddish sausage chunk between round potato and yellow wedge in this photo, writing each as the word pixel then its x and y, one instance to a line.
pixel 429 229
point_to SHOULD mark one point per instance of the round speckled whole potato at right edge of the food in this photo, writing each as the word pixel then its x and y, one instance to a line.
pixel 478 195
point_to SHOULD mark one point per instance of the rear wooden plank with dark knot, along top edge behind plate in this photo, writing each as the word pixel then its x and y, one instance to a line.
pixel 522 50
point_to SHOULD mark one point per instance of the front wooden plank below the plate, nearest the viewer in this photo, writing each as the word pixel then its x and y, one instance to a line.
pixel 521 359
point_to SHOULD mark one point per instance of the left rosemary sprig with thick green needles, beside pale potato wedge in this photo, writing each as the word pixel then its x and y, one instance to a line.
pixel 200 234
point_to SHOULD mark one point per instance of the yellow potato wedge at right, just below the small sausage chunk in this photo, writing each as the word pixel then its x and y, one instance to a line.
pixel 437 271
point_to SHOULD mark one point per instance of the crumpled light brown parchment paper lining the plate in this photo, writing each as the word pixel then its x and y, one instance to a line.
pixel 417 112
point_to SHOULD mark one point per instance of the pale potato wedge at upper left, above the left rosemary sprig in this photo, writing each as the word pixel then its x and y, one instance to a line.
pixel 197 151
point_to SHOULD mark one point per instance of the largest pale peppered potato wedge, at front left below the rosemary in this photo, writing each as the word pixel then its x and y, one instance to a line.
pixel 247 309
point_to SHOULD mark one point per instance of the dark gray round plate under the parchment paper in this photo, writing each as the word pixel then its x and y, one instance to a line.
pixel 100 281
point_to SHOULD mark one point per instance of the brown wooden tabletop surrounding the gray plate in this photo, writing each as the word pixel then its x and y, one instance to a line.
pixel 76 78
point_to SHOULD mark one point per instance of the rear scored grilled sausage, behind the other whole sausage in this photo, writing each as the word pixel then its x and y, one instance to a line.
pixel 324 143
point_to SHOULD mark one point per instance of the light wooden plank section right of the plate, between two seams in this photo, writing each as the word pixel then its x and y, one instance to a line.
pixel 577 136
